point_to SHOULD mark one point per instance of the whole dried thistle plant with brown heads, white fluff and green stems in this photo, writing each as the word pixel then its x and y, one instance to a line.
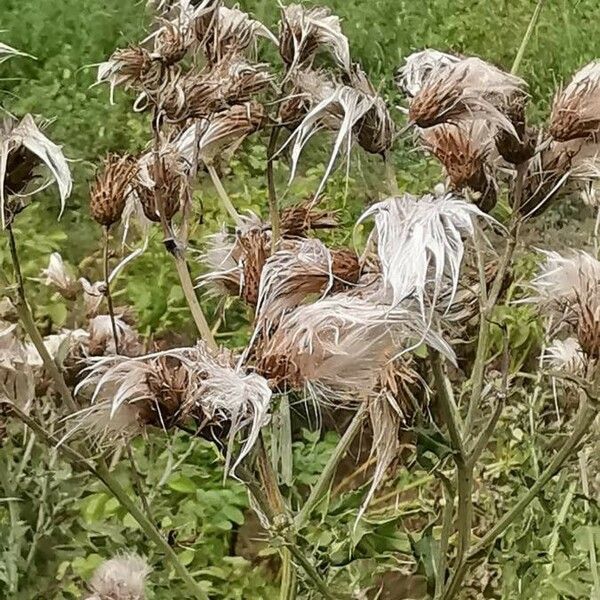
pixel 378 329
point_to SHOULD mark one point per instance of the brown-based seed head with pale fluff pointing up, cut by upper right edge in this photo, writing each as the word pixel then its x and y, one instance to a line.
pixel 575 112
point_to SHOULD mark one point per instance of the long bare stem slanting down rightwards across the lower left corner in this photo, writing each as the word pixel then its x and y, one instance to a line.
pixel 114 487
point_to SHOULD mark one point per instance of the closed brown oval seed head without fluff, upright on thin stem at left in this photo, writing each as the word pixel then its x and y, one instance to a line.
pixel 112 186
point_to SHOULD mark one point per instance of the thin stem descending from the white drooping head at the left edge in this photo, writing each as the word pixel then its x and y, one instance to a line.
pixel 28 322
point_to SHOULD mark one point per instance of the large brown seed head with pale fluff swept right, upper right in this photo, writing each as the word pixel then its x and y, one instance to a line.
pixel 466 90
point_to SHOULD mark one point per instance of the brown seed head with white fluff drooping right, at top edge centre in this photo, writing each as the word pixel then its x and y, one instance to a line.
pixel 304 31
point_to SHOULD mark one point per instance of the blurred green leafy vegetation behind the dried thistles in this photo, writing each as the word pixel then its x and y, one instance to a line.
pixel 56 526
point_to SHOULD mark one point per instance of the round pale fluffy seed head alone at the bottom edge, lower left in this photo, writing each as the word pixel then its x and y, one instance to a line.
pixel 120 578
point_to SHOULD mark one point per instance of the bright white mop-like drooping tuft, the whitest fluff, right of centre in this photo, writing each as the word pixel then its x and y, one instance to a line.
pixel 420 243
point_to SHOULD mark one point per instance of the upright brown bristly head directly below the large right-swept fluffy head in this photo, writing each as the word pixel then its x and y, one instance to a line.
pixel 464 151
